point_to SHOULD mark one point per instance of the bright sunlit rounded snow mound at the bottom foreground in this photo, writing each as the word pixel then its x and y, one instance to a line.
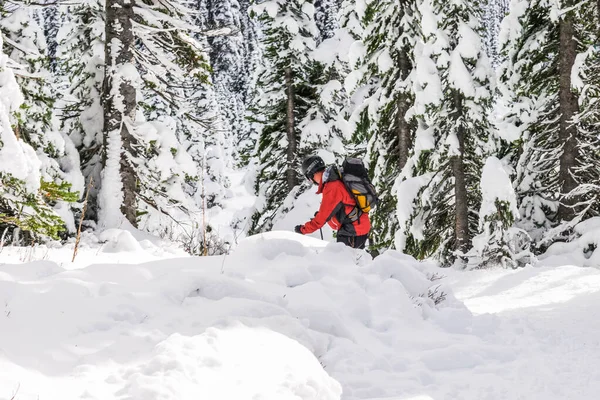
pixel 224 364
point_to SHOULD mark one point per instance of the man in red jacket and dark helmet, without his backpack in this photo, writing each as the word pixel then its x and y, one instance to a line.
pixel 338 206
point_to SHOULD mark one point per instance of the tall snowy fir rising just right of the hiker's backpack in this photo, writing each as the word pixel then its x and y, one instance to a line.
pixel 386 73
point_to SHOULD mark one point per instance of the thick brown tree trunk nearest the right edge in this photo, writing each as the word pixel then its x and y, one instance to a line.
pixel 568 108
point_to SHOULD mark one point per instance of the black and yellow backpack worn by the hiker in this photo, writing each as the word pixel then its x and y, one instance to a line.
pixel 356 179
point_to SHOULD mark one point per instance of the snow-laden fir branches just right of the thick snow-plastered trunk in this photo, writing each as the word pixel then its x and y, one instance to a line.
pixel 180 125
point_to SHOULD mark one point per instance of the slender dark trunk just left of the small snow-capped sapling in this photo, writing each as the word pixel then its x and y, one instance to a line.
pixel 460 185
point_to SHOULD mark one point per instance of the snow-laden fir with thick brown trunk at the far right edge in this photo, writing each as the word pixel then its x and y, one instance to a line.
pixel 553 152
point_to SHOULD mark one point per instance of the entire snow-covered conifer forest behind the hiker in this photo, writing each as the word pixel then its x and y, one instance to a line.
pixel 479 121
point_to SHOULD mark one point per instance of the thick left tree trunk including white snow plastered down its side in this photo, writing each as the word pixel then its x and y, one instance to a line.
pixel 119 106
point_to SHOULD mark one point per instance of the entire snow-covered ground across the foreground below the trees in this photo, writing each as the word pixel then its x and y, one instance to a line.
pixel 289 317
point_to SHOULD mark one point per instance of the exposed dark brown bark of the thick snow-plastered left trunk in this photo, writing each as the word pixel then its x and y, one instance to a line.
pixel 119 51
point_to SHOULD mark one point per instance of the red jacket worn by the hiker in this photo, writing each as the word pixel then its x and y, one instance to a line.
pixel 336 204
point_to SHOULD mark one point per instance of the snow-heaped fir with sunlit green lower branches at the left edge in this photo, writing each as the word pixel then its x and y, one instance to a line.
pixel 25 197
